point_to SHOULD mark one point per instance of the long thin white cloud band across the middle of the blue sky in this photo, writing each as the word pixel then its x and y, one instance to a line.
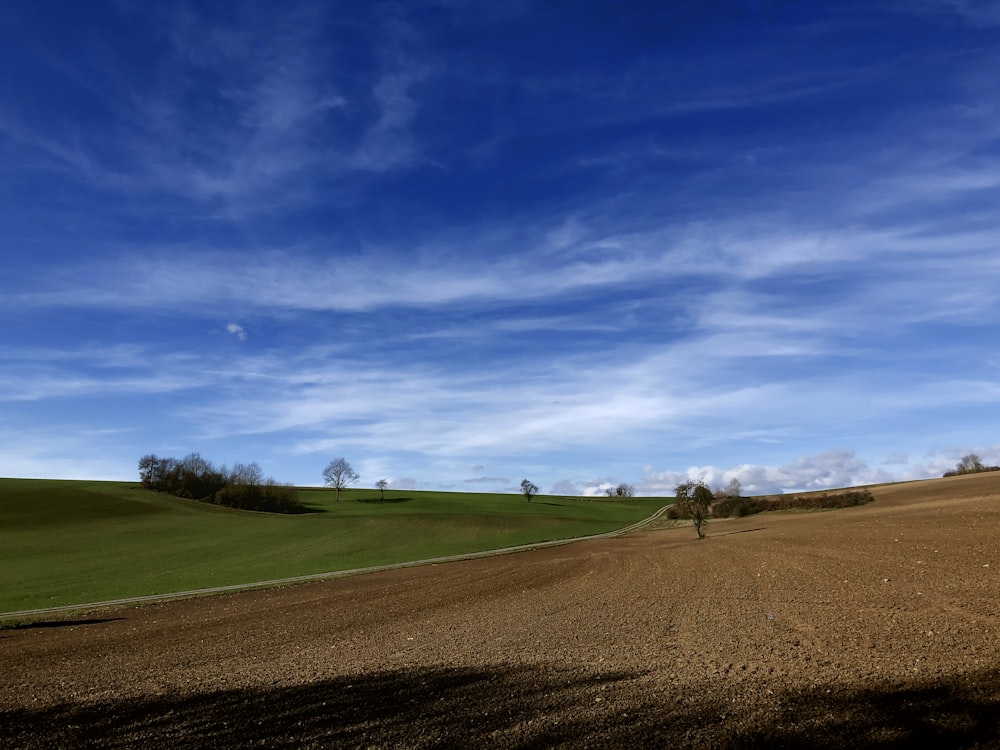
pixel 865 280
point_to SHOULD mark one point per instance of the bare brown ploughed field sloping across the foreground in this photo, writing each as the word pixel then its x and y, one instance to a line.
pixel 876 626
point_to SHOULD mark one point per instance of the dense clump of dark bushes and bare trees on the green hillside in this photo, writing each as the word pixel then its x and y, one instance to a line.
pixel 241 486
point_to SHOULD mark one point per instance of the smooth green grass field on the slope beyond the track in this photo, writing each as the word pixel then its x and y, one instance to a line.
pixel 68 542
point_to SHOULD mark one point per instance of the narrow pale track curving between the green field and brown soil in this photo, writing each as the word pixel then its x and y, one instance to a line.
pixel 278 582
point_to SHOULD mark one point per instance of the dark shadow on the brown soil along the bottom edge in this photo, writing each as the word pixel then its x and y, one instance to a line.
pixel 526 707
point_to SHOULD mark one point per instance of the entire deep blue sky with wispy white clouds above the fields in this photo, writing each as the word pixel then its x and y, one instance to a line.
pixel 462 243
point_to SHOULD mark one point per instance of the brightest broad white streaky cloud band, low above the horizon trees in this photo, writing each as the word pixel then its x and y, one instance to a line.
pixel 565 404
